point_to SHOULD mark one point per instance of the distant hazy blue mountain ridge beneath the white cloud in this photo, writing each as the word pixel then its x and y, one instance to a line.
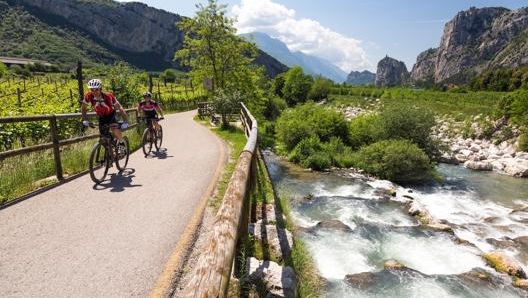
pixel 310 64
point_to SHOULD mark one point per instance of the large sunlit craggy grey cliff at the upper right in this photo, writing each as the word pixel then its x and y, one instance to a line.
pixel 475 40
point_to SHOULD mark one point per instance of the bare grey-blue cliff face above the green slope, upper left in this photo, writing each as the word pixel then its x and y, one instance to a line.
pixel 132 27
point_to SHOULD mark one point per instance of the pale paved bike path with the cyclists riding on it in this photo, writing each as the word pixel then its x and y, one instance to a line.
pixel 113 240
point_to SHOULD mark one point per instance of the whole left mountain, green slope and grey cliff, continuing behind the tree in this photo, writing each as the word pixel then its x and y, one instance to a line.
pixel 95 31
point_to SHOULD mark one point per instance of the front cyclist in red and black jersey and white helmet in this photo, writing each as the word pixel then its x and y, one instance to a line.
pixel 104 105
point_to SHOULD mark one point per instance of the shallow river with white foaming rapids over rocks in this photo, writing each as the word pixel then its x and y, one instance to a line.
pixel 486 211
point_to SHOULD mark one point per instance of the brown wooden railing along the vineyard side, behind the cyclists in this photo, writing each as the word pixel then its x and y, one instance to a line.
pixel 55 143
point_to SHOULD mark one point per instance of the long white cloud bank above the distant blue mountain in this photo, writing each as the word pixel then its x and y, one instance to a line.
pixel 305 35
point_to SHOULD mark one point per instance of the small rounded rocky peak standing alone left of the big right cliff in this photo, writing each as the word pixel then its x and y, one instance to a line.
pixel 391 72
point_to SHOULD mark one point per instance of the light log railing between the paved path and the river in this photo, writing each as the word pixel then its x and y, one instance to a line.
pixel 210 277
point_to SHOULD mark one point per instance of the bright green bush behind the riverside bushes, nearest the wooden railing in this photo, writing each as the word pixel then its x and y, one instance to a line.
pixel 310 120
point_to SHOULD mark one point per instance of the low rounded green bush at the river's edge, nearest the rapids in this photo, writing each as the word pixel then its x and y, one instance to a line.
pixel 400 161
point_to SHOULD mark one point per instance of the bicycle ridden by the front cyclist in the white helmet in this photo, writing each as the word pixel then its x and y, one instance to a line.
pixel 106 152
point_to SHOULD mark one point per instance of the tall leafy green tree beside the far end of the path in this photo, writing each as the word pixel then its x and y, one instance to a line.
pixel 213 51
